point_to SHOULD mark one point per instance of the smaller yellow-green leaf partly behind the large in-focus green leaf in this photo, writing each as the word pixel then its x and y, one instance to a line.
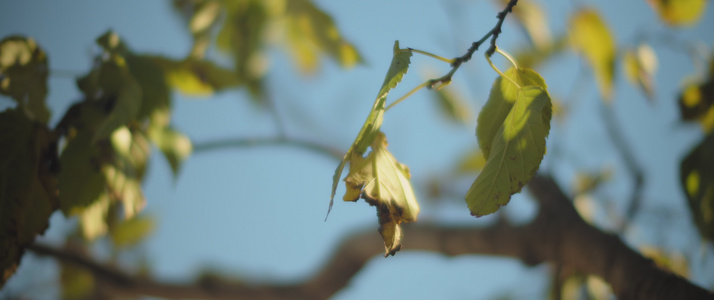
pixel 500 101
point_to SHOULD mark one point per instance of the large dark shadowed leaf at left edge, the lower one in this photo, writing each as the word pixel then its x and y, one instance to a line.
pixel 27 186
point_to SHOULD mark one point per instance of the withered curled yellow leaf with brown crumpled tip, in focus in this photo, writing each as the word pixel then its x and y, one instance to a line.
pixel 384 183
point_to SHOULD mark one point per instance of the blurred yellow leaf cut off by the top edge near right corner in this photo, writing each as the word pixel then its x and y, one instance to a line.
pixel 679 12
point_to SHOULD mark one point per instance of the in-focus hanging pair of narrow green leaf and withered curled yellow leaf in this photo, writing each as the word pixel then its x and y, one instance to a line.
pixel 379 178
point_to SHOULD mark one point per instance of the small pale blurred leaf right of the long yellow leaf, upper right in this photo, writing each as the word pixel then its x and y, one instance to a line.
pixel 640 66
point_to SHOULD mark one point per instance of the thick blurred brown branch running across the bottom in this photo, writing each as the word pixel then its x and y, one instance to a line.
pixel 557 235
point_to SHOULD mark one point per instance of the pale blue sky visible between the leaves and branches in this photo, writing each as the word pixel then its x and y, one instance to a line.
pixel 259 212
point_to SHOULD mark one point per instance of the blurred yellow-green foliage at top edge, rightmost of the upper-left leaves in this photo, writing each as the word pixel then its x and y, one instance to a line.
pixel 310 32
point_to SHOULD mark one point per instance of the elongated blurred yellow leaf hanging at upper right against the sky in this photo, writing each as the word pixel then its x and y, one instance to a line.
pixel 593 39
